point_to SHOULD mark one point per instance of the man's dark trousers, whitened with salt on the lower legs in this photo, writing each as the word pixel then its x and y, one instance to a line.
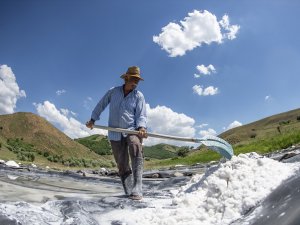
pixel 131 176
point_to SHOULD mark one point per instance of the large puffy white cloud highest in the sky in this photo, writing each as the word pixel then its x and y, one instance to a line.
pixel 199 27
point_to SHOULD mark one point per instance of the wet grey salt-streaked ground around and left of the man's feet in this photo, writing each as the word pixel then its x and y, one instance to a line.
pixel 35 197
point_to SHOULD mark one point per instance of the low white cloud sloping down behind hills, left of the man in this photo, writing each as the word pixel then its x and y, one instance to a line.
pixel 66 123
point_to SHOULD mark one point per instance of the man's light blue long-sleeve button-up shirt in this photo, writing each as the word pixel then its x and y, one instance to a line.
pixel 124 112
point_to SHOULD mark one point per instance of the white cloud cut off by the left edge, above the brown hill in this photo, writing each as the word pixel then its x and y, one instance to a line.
pixel 9 90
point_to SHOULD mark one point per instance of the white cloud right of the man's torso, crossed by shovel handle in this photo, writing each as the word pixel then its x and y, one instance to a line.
pixel 163 120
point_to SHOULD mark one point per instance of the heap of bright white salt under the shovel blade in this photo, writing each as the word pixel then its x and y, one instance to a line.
pixel 223 194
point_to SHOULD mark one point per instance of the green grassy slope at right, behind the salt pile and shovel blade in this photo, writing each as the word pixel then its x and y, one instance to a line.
pixel 261 136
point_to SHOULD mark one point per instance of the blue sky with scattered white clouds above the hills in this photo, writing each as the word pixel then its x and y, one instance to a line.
pixel 207 65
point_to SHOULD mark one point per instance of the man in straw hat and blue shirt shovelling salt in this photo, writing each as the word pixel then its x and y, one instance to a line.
pixel 127 110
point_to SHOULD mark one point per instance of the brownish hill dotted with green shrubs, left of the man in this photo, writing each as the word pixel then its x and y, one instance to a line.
pixel 30 138
